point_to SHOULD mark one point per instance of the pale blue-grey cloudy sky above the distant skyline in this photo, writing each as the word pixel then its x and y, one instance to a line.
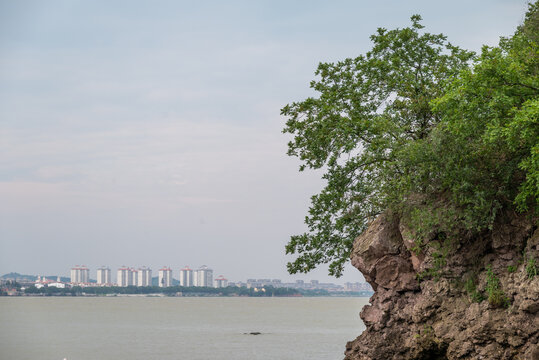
pixel 146 133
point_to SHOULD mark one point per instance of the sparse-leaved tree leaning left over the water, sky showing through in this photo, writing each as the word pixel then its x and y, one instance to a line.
pixel 369 109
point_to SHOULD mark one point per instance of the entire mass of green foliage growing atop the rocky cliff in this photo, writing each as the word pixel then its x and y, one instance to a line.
pixel 422 128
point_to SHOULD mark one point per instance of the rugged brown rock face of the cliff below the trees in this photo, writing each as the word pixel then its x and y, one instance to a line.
pixel 448 315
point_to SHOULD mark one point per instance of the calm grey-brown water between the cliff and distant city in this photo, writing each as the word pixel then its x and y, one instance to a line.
pixel 177 328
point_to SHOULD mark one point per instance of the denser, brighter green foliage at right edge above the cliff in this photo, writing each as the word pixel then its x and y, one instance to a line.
pixel 490 115
